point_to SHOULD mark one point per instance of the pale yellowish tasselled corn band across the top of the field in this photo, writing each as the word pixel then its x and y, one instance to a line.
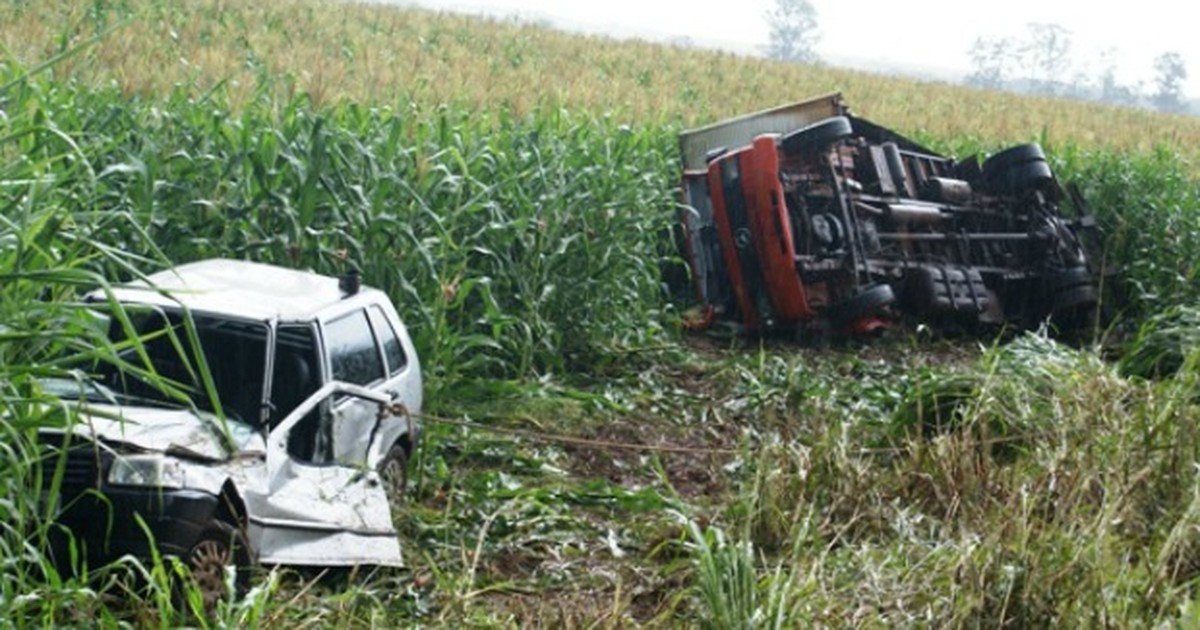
pixel 334 52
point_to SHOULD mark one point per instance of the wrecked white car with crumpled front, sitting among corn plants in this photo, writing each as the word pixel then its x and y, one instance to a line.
pixel 259 416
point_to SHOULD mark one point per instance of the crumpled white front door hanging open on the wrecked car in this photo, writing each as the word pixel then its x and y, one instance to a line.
pixel 322 514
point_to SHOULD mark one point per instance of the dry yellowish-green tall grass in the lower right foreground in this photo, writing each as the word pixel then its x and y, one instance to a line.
pixel 1063 495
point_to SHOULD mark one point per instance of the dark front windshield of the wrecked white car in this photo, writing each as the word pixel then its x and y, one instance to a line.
pixel 236 352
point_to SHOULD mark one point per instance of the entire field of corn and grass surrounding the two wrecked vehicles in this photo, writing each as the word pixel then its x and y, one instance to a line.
pixel 523 227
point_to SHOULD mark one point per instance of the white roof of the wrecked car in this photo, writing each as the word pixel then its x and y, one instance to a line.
pixel 237 289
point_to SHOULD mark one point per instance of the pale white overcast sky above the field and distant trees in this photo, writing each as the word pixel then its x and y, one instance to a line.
pixel 931 38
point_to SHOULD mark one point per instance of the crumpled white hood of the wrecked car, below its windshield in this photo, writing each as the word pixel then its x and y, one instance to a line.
pixel 178 431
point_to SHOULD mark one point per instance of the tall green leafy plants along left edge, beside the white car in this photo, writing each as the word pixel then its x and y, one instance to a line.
pixel 47 191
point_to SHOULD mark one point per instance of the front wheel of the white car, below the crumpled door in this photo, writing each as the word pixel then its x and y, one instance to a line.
pixel 219 549
